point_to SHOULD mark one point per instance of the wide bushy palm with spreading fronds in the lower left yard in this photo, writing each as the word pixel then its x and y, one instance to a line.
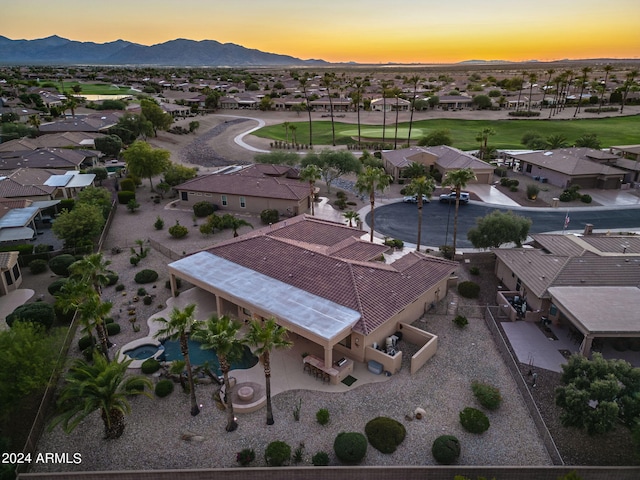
pixel 102 386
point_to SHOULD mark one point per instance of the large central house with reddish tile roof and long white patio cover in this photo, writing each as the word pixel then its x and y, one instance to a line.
pixel 320 281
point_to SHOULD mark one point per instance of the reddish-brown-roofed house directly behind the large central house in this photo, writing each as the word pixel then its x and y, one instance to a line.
pixel 251 189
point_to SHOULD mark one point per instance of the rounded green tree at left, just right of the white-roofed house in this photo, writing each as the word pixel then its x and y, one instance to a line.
pixel 78 227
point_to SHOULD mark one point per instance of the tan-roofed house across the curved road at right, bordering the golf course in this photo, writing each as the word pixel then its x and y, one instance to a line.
pixel 571 166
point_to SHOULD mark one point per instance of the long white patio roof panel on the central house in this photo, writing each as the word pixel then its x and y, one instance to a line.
pixel 312 313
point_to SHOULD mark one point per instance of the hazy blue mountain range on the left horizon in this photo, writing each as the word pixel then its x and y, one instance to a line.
pixel 56 50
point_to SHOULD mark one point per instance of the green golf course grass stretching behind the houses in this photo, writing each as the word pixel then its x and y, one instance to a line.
pixel 610 131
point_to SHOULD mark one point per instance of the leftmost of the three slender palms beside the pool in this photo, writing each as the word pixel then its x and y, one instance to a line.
pixel 181 325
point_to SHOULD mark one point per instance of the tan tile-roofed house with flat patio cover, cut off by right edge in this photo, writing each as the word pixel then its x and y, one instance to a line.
pixel 588 283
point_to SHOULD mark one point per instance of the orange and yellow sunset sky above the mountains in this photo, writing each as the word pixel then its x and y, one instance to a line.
pixel 364 31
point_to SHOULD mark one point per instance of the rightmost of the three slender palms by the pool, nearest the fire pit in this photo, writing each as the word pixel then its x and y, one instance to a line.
pixel 266 336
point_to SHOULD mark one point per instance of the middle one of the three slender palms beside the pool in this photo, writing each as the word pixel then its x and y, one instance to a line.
pixel 220 335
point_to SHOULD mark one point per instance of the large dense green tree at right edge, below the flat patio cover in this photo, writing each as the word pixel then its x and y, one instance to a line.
pixel 597 394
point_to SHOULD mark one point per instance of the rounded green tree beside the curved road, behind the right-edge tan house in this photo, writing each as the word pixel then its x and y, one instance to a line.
pixel 497 228
